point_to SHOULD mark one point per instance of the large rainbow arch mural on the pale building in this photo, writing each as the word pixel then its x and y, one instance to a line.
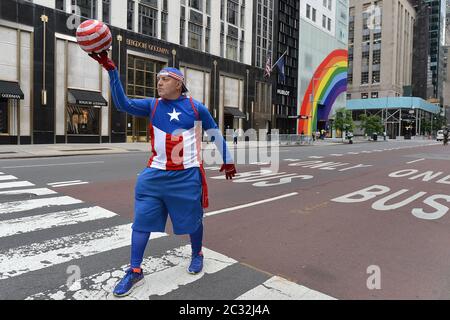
pixel 330 80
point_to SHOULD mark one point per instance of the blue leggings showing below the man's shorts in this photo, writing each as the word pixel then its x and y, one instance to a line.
pixel 139 241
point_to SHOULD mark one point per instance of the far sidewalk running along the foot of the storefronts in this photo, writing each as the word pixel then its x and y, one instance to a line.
pixel 64 150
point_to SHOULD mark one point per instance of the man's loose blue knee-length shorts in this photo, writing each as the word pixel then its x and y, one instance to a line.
pixel 160 193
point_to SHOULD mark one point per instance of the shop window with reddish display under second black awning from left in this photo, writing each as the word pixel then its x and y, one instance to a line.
pixel 83 120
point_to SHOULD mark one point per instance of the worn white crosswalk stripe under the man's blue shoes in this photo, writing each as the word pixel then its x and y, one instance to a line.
pixel 162 275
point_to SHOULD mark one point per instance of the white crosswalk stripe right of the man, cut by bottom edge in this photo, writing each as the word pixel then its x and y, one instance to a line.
pixel 277 288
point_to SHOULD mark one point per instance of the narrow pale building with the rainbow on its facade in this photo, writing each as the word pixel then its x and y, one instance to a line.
pixel 323 63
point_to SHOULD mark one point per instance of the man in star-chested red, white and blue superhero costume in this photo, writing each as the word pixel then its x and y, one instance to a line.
pixel 174 182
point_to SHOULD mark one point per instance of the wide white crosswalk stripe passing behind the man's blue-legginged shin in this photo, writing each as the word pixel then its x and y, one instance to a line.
pixel 17 261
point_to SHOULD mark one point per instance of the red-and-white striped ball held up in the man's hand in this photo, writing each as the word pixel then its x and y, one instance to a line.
pixel 94 36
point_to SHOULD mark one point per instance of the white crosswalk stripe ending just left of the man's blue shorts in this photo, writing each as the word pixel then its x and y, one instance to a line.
pixel 51 220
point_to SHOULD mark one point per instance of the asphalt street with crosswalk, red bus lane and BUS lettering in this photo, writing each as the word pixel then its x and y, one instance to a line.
pixel 361 221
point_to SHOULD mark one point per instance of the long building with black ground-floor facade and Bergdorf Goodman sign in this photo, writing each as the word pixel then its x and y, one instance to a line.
pixel 52 92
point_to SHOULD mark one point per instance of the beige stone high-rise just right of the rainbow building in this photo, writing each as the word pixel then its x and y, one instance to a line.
pixel 380 48
